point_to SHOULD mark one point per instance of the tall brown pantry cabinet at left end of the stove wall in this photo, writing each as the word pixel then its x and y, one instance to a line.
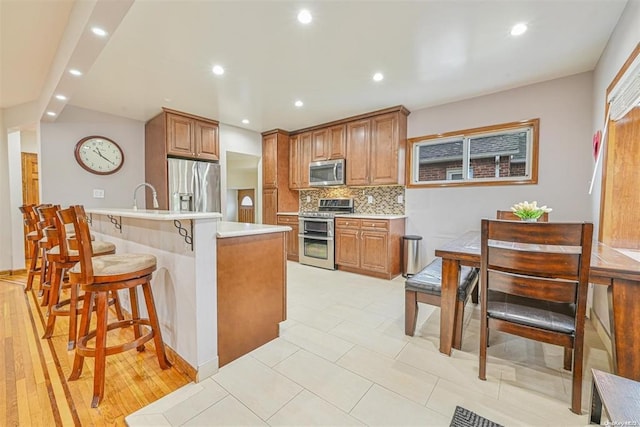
pixel 276 194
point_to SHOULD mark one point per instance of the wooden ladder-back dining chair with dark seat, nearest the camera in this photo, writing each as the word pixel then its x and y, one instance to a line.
pixel 534 278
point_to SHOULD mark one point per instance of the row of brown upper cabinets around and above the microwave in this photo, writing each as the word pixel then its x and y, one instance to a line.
pixel 373 146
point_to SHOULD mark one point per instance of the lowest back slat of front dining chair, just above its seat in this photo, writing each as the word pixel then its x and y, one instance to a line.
pixel 562 291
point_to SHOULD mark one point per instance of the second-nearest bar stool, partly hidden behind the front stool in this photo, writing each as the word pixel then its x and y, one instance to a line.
pixel 61 258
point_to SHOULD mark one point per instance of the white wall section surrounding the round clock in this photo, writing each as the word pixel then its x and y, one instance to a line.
pixel 64 182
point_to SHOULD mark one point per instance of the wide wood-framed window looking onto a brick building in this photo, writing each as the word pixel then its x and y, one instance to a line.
pixel 494 155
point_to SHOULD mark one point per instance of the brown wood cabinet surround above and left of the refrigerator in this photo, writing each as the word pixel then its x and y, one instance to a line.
pixel 173 133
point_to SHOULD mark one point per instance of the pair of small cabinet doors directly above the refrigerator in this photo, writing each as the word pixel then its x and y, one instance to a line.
pixel 191 136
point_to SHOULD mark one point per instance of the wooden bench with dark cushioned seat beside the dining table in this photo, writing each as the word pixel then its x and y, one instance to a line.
pixel 426 287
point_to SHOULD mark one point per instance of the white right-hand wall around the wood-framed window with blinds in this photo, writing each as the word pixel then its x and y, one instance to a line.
pixel 621 43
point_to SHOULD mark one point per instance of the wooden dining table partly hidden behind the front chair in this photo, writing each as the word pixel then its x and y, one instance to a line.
pixel 609 267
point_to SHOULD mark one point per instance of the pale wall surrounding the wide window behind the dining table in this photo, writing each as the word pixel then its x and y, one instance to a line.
pixel 564 169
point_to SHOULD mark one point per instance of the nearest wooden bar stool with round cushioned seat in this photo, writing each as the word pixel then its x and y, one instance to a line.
pixel 98 276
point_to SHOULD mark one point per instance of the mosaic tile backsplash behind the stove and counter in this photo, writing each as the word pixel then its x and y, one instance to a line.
pixel 385 199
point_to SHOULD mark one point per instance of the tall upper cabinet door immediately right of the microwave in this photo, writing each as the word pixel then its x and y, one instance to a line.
pixel 358 146
